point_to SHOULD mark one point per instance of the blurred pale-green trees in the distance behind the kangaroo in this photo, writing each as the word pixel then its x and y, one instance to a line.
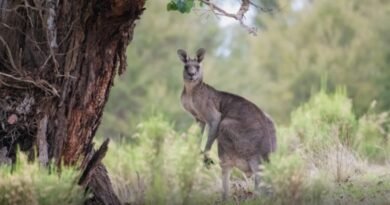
pixel 301 45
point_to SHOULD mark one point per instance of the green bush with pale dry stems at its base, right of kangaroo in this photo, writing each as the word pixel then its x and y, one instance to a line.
pixel 326 127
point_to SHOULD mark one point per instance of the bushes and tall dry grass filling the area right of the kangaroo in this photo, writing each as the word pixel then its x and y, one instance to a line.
pixel 323 156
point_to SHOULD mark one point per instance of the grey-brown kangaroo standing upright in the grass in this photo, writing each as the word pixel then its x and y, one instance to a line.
pixel 244 133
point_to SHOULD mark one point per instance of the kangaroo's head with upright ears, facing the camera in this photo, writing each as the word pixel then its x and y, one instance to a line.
pixel 192 69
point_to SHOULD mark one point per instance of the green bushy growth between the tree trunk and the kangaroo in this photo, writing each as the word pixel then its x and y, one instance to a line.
pixel 162 167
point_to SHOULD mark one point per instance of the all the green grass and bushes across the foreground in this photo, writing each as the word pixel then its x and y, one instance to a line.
pixel 328 155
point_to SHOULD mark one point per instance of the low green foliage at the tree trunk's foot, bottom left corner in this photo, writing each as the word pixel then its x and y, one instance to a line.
pixel 32 184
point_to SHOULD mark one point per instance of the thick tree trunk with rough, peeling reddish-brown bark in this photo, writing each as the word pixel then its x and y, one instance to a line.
pixel 58 60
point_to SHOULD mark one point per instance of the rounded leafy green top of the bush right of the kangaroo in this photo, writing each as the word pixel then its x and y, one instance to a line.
pixel 325 120
